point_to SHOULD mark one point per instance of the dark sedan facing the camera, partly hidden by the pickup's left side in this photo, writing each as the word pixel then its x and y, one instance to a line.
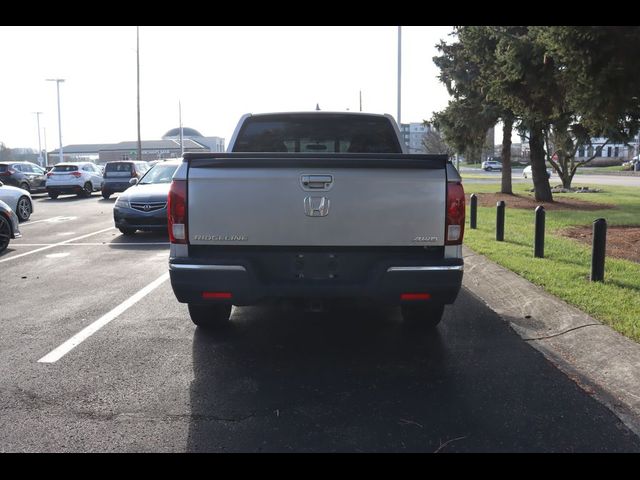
pixel 144 205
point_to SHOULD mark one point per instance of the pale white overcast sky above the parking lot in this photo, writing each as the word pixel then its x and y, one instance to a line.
pixel 216 73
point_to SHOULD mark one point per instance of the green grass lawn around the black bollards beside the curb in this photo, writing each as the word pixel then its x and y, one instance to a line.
pixel 565 270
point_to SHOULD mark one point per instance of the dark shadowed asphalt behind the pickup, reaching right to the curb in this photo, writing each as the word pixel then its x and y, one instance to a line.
pixel 357 380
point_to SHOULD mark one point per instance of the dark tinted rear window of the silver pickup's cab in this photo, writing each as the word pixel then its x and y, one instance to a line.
pixel 317 134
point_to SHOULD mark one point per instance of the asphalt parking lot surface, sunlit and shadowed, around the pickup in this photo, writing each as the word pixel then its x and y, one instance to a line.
pixel 277 380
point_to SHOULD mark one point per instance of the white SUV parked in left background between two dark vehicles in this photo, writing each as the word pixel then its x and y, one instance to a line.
pixel 81 178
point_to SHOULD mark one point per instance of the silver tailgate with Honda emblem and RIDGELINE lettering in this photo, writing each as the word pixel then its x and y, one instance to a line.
pixel 345 200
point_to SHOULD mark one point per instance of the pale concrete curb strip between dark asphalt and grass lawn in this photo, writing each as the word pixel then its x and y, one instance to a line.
pixel 601 361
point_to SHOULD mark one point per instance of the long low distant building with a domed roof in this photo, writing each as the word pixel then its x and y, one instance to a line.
pixel 168 147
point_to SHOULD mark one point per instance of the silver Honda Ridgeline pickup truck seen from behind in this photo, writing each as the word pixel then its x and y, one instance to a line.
pixel 316 206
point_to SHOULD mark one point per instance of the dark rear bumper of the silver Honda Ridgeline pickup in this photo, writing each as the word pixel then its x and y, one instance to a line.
pixel 383 280
